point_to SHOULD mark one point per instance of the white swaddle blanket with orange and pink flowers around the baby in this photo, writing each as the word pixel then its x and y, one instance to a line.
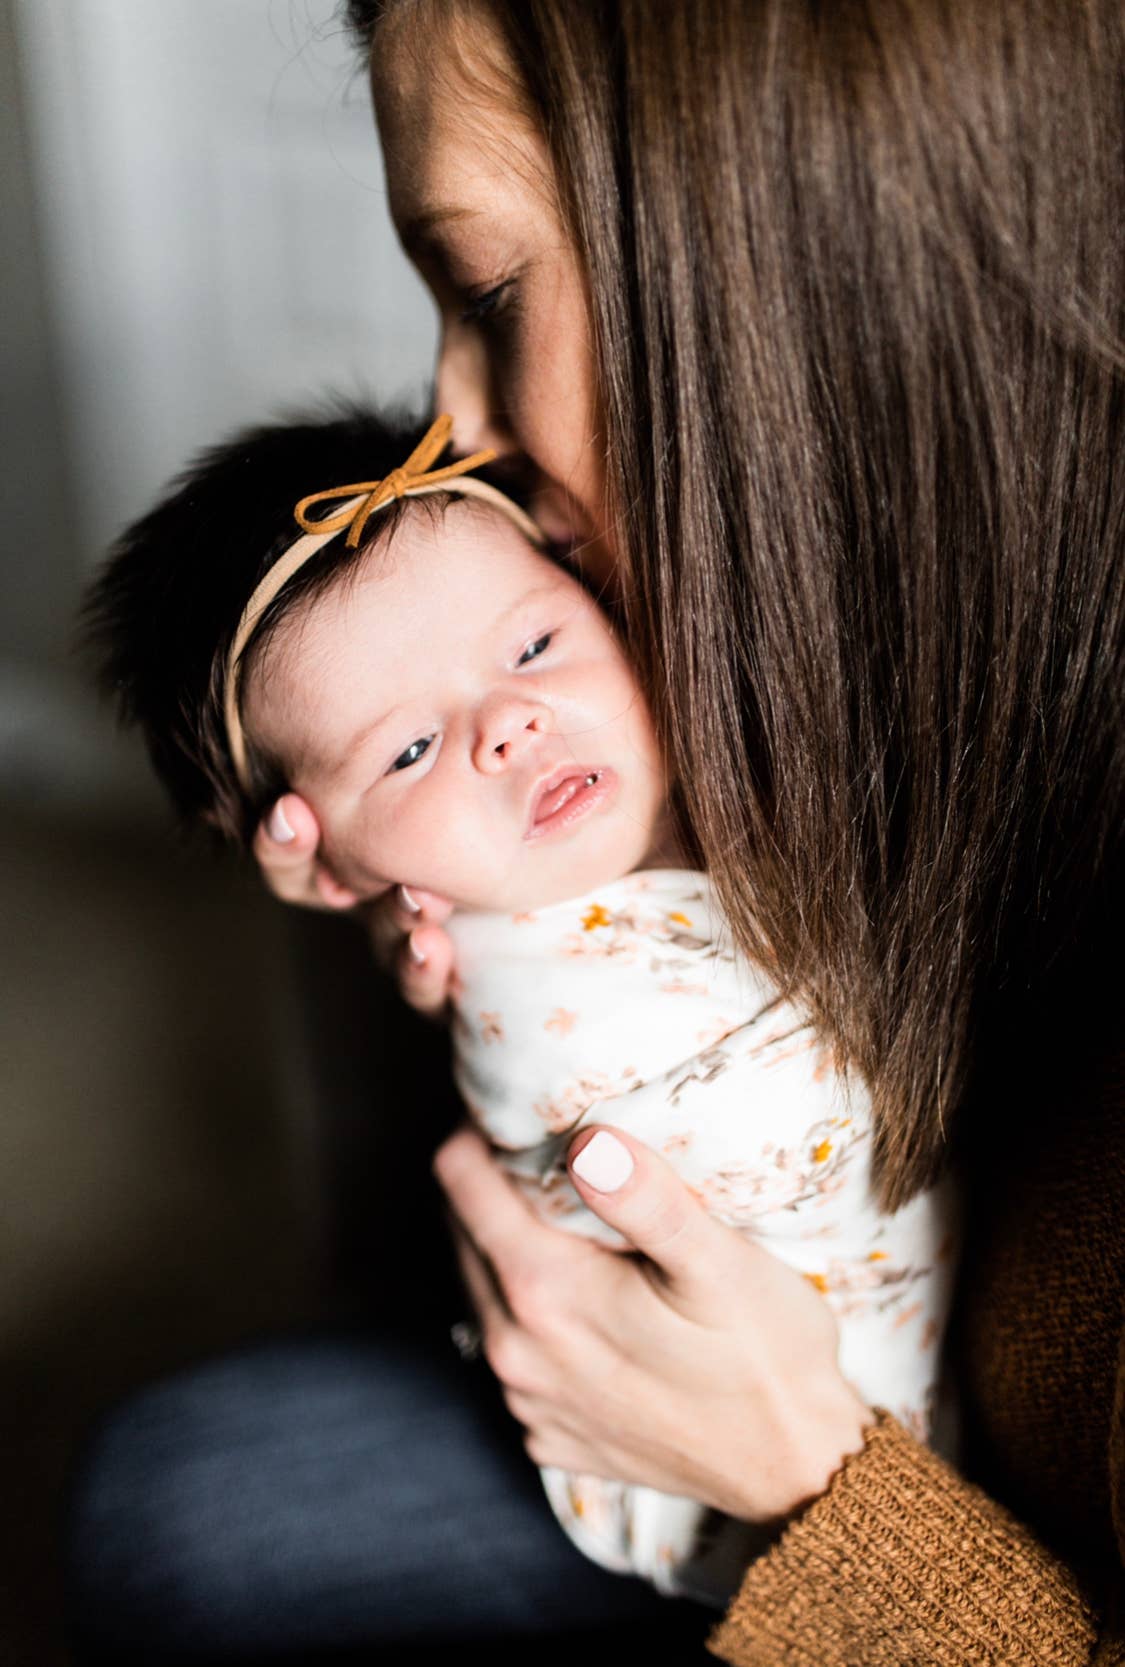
pixel 631 1008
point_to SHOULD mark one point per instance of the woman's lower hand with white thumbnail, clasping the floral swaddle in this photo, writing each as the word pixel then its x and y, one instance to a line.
pixel 702 1368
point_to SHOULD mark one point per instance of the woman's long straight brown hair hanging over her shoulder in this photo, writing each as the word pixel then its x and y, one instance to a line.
pixel 857 286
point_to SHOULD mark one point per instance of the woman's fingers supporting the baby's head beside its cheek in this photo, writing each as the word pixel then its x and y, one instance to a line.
pixel 406 926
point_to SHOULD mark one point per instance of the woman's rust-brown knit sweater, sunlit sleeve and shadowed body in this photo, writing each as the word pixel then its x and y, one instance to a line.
pixel 904 1563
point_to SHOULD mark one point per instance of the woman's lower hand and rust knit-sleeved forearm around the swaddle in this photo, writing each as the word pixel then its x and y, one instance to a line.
pixel 704 1368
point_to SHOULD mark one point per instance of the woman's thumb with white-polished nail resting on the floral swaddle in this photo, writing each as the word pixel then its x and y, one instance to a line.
pixel 644 1199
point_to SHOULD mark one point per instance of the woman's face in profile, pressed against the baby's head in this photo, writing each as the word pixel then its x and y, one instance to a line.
pixel 472 196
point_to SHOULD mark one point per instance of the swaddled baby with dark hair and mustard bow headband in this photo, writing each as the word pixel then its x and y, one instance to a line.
pixel 462 718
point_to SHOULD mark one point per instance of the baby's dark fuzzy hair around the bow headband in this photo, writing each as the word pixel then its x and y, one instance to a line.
pixel 162 614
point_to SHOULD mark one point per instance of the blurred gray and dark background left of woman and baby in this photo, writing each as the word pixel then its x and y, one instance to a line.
pixel 194 236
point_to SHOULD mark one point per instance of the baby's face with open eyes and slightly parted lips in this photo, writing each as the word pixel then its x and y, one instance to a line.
pixel 462 719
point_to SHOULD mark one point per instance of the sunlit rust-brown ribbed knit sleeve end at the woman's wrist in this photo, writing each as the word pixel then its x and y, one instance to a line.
pixel 899 1563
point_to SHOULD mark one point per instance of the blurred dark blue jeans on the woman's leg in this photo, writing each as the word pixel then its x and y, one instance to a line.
pixel 322 1496
